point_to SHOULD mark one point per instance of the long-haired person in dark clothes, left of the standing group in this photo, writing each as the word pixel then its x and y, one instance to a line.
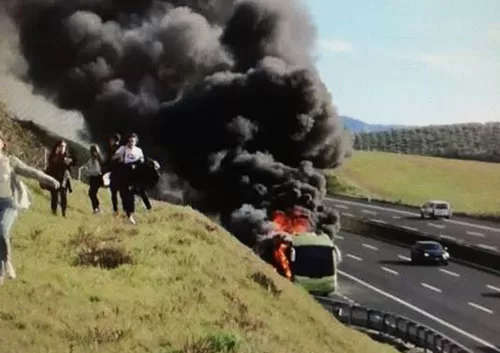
pixel 60 162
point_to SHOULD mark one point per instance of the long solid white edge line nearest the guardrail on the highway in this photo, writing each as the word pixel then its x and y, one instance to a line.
pixel 422 312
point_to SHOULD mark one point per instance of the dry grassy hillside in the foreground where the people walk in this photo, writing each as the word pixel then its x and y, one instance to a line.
pixel 176 282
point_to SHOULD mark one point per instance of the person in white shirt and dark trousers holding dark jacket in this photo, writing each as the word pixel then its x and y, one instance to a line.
pixel 130 156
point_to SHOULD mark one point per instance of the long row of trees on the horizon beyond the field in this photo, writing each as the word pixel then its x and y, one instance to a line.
pixel 472 141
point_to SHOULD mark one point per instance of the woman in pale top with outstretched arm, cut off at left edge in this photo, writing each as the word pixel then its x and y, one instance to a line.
pixel 14 196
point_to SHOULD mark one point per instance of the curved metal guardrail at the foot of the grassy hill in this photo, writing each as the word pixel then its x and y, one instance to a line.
pixel 392 325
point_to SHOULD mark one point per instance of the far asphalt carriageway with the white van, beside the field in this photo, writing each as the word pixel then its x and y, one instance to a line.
pixel 481 233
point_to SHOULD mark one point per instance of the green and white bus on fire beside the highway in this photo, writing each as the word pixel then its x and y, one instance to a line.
pixel 305 257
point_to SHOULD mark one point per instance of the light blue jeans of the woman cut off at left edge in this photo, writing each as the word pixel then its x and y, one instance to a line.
pixel 8 214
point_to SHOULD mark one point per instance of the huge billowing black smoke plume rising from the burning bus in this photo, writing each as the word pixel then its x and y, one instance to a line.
pixel 224 92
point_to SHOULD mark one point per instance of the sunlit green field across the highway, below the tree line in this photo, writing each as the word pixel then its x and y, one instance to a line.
pixel 471 187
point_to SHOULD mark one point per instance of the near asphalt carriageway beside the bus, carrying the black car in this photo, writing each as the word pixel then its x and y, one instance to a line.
pixel 461 302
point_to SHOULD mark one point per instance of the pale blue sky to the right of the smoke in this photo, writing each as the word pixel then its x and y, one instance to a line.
pixel 410 62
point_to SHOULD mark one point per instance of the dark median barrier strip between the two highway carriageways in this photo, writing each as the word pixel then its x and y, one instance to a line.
pixel 459 250
